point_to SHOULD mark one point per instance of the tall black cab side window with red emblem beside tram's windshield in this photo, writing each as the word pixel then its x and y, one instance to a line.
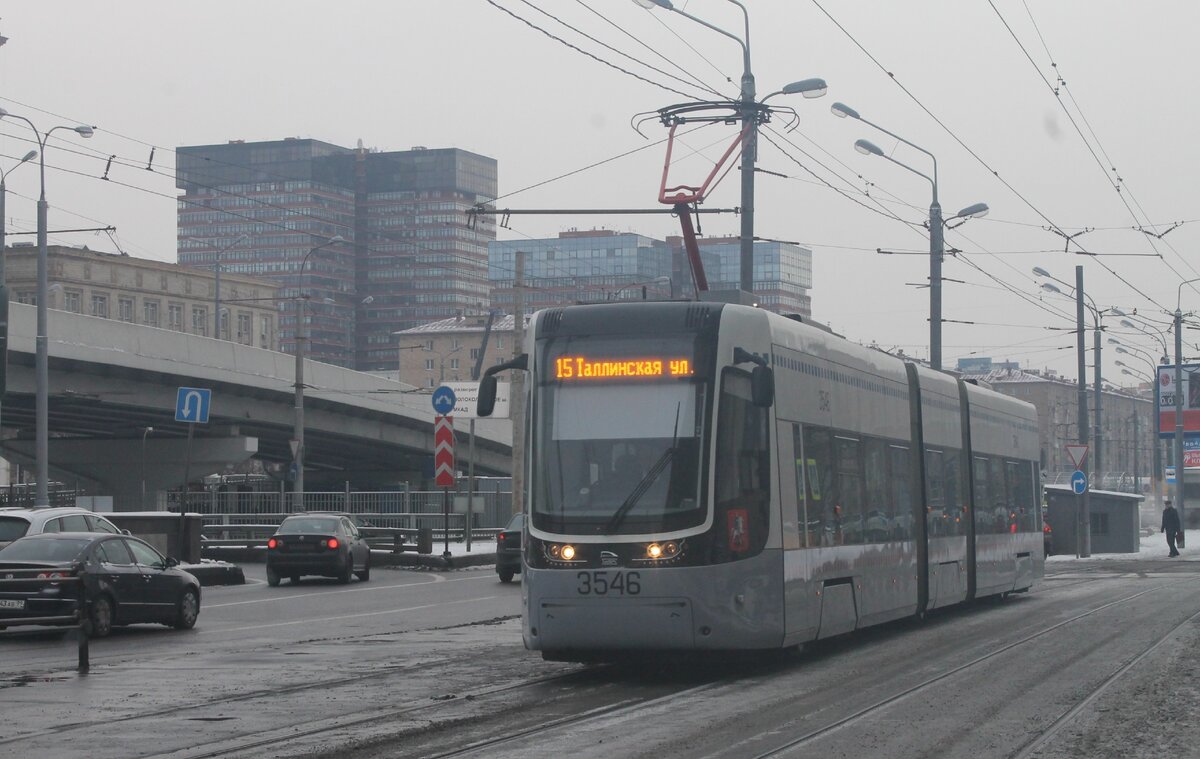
pixel 743 475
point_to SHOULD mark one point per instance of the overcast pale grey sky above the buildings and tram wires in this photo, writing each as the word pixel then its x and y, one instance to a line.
pixel 973 82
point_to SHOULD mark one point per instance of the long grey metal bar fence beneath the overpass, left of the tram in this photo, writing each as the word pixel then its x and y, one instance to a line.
pixel 399 509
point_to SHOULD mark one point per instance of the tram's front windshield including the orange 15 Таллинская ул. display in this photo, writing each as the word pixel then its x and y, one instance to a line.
pixel 619 439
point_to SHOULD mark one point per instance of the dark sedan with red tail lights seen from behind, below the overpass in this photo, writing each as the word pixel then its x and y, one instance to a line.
pixel 326 545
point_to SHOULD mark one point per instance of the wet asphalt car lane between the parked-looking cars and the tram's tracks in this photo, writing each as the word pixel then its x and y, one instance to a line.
pixel 238 619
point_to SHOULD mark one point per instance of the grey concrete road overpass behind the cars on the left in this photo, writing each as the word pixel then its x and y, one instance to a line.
pixel 110 380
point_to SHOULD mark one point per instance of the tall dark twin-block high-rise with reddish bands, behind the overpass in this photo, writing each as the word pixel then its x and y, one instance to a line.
pixel 406 256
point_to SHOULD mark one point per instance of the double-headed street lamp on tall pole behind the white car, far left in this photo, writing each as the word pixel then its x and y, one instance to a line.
pixel 43 357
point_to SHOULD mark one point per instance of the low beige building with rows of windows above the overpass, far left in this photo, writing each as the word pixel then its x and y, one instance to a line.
pixel 155 294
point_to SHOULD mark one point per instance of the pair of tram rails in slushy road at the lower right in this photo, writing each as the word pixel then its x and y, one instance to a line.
pixel 881 706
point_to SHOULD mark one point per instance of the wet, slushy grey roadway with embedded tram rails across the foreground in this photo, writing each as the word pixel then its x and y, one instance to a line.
pixel 423 665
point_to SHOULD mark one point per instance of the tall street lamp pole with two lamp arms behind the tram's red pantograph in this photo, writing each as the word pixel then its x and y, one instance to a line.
pixel 752 115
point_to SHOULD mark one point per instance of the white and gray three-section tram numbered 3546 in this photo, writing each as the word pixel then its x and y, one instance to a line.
pixel 706 476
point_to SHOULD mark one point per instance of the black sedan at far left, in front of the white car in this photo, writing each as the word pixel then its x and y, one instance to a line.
pixel 125 582
